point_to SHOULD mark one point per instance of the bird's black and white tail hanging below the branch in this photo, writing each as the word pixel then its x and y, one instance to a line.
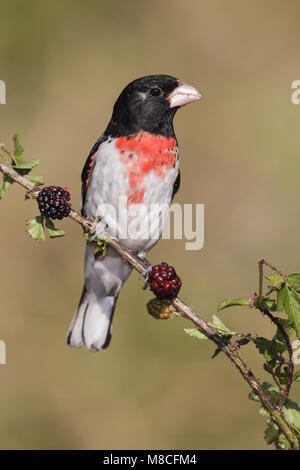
pixel 91 325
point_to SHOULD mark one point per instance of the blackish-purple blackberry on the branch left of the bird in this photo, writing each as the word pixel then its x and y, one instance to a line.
pixel 53 202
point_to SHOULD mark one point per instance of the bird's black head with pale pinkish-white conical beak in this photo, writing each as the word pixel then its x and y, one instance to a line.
pixel 149 104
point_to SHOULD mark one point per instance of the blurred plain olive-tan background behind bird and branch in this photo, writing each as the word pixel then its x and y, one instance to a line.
pixel 64 63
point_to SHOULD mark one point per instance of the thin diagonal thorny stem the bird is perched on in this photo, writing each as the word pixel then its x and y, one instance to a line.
pixel 185 310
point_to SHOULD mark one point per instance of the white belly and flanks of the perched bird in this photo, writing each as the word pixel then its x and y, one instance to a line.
pixel 139 224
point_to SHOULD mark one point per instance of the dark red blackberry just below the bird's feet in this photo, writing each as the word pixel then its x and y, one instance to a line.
pixel 164 281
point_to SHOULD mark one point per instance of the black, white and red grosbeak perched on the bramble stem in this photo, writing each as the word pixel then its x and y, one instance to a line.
pixel 136 160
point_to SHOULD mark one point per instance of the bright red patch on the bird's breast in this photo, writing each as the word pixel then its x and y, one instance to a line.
pixel 141 154
